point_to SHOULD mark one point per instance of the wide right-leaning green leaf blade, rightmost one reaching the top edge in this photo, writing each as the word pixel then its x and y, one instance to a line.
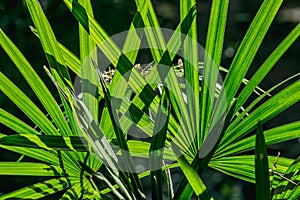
pixel 246 53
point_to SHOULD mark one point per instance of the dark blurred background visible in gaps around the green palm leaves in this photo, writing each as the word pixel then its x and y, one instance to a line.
pixel 115 16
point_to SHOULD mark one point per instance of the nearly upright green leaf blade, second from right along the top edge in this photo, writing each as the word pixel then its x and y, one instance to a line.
pixel 214 46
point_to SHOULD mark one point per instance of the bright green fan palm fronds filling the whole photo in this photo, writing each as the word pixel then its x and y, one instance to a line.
pixel 82 141
